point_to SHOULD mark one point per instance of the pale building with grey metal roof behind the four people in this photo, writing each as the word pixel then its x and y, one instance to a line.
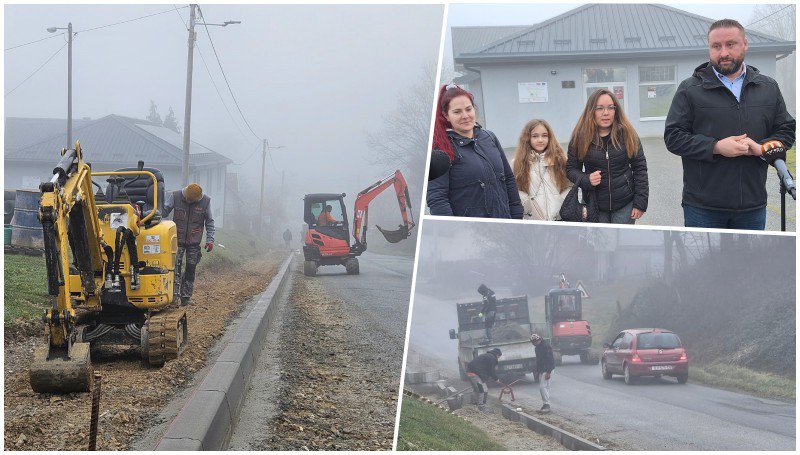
pixel 641 52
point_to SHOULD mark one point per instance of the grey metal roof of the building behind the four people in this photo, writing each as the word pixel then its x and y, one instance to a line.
pixel 598 30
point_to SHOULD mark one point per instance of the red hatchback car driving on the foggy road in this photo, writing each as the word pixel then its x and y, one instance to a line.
pixel 645 352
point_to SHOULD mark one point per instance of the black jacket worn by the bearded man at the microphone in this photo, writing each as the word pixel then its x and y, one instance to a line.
pixel 704 111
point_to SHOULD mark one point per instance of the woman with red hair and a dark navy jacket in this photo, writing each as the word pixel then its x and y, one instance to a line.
pixel 480 182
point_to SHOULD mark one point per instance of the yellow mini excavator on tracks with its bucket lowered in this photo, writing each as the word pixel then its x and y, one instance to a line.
pixel 110 271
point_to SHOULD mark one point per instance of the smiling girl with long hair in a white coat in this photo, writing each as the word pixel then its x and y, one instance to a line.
pixel 540 168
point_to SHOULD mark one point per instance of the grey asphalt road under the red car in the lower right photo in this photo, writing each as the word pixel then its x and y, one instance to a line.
pixel 652 415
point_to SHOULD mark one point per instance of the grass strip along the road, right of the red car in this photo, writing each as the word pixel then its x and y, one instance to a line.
pixel 738 379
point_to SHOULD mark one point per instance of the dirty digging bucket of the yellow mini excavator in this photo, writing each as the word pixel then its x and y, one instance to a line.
pixel 54 371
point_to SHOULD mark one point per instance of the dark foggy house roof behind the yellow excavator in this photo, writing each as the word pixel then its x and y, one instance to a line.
pixel 112 139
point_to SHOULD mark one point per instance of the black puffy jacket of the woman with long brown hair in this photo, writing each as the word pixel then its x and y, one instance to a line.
pixel 628 177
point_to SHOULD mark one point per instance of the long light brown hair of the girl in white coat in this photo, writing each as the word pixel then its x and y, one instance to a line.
pixel 554 153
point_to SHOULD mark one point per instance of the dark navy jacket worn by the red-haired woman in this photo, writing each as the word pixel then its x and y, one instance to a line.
pixel 480 182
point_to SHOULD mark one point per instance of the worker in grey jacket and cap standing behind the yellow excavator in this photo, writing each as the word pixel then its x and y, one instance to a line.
pixel 192 214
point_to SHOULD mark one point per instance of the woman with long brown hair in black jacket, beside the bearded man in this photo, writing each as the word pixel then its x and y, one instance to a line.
pixel 605 155
